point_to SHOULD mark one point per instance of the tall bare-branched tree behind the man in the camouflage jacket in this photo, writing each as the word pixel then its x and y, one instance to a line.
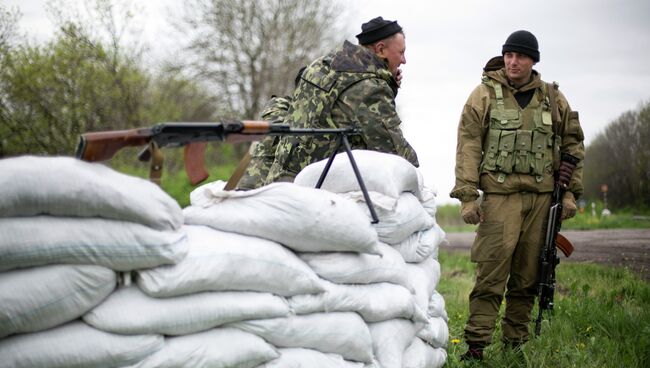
pixel 249 50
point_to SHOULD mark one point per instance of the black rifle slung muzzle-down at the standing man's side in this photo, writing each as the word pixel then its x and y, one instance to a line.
pixel 549 259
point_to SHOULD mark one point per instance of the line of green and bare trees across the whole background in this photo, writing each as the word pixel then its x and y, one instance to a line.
pixel 237 54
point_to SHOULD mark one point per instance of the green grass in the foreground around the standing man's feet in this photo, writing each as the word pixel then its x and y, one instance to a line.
pixel 601 318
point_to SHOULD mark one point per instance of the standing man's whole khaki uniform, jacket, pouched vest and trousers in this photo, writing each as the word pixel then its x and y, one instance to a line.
pixel 510 153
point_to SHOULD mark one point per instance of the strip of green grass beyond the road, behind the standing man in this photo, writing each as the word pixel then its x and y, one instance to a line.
pixel 448 217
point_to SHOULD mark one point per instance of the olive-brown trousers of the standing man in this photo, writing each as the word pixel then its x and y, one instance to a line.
pixel 506 252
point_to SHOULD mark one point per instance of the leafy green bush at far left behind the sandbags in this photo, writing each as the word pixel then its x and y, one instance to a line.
pixel 52 93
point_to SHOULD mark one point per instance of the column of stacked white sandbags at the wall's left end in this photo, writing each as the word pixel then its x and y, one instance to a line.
pixel 67 226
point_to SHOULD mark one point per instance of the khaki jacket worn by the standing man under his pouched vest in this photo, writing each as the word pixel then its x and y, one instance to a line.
pixel 474 126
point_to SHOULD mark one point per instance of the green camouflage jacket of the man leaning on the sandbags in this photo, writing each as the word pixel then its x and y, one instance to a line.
pixel 350 86
